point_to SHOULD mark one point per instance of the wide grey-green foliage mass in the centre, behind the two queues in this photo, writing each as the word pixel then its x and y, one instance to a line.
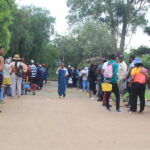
pixel 88 40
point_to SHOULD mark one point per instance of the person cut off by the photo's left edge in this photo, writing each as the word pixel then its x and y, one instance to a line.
pixel 1 68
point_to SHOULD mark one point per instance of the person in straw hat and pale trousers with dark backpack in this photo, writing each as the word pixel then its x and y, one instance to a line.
pixel 17 68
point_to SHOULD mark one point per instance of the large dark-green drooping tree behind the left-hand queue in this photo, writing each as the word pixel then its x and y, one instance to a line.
pixel 31 31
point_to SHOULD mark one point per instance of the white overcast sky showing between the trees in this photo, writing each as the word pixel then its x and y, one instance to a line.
pixel 59 10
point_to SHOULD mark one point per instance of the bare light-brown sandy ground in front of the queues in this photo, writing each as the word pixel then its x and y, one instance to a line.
pixel 45 122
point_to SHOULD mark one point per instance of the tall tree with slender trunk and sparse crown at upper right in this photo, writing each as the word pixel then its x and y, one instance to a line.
pixel 116 14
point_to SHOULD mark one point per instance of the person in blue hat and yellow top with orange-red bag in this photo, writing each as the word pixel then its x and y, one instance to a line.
pixel 138 81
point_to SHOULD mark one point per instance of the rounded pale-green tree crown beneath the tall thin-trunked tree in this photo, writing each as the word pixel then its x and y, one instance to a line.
pixel 95 39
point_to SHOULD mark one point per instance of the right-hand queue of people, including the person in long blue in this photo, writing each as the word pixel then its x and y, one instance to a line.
pixel 110 75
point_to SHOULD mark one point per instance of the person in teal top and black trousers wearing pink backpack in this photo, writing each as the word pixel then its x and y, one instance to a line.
pixel 111 76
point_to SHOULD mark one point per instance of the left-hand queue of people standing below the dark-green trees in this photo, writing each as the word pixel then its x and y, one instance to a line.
pixel 19 78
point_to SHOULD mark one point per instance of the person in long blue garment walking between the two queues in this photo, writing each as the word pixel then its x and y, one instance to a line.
pixel 62 73
